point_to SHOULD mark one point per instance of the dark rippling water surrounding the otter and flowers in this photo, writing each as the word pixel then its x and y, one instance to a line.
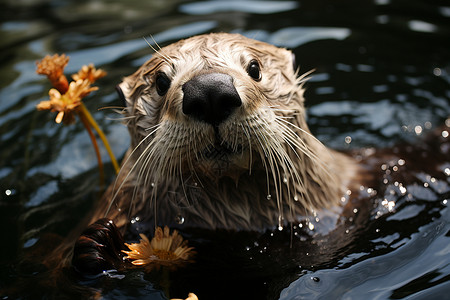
pixel 382 78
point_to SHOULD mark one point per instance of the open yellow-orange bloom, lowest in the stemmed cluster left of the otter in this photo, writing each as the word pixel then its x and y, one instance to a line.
pixel 67 104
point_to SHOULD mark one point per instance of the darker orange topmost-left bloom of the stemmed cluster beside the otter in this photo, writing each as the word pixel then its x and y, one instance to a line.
pixel 53 67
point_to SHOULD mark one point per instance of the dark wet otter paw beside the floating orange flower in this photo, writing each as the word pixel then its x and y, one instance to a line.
pixel 98 248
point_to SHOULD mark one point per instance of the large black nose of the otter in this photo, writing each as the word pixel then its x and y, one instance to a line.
pixel 210 98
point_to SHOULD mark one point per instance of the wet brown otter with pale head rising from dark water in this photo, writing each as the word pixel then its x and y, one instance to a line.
pixel 219 140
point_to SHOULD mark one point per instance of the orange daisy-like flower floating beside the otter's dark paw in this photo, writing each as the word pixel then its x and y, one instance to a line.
pixel 165 249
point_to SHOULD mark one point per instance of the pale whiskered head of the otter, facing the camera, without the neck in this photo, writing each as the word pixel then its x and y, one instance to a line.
pixel 213 105
